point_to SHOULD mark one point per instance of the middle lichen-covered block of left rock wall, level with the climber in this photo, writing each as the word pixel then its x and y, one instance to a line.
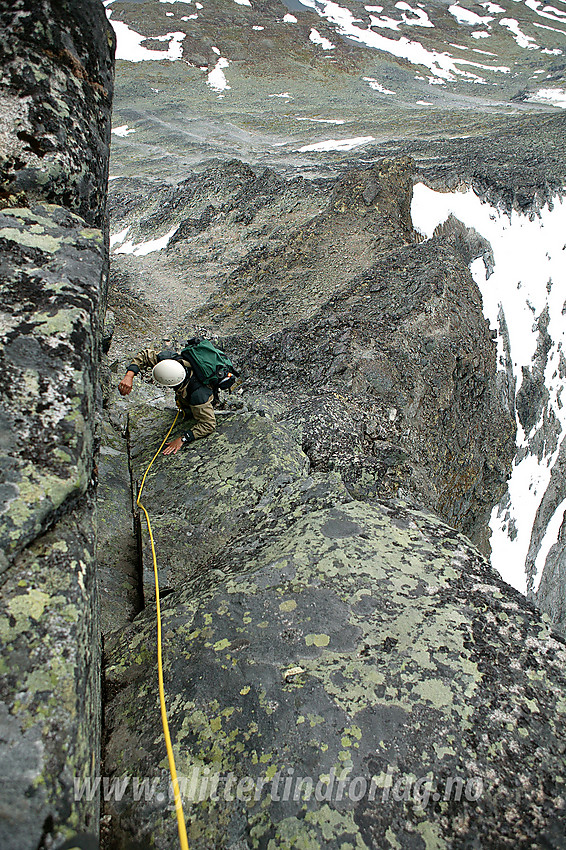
pixel 52 278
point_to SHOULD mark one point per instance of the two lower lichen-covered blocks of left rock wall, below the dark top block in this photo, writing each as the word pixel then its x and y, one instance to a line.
pixel 53 272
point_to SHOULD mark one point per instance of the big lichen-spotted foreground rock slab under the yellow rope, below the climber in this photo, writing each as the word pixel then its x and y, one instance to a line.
pixel 334 670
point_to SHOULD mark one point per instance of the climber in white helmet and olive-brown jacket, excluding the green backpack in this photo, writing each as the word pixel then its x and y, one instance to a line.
pixel 170 370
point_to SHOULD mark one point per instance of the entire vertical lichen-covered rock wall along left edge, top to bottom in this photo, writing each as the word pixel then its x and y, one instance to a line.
pixel 56 88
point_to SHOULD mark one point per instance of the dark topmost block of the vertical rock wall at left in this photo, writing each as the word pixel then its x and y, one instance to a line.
pixel 56 93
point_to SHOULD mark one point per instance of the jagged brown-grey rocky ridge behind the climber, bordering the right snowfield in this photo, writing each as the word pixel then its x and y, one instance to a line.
pixel 389 335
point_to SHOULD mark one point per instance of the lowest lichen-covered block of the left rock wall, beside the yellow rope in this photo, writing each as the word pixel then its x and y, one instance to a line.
pixel 50 686
